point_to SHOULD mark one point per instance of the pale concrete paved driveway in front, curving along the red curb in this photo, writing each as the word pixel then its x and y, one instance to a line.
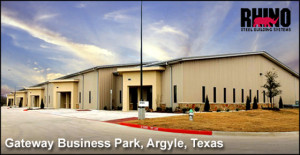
pixel 38 125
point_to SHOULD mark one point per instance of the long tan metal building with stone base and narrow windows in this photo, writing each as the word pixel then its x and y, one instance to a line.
pixel 184 82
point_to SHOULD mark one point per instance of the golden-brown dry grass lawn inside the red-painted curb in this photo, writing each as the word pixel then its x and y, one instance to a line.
pixel 243 121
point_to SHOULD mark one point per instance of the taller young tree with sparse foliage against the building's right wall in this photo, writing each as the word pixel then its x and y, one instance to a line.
pixel 272 86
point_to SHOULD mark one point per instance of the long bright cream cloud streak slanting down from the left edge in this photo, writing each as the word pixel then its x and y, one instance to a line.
pixel 90 53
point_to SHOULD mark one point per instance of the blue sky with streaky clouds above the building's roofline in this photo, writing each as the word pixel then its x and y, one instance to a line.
pixel 44 40
